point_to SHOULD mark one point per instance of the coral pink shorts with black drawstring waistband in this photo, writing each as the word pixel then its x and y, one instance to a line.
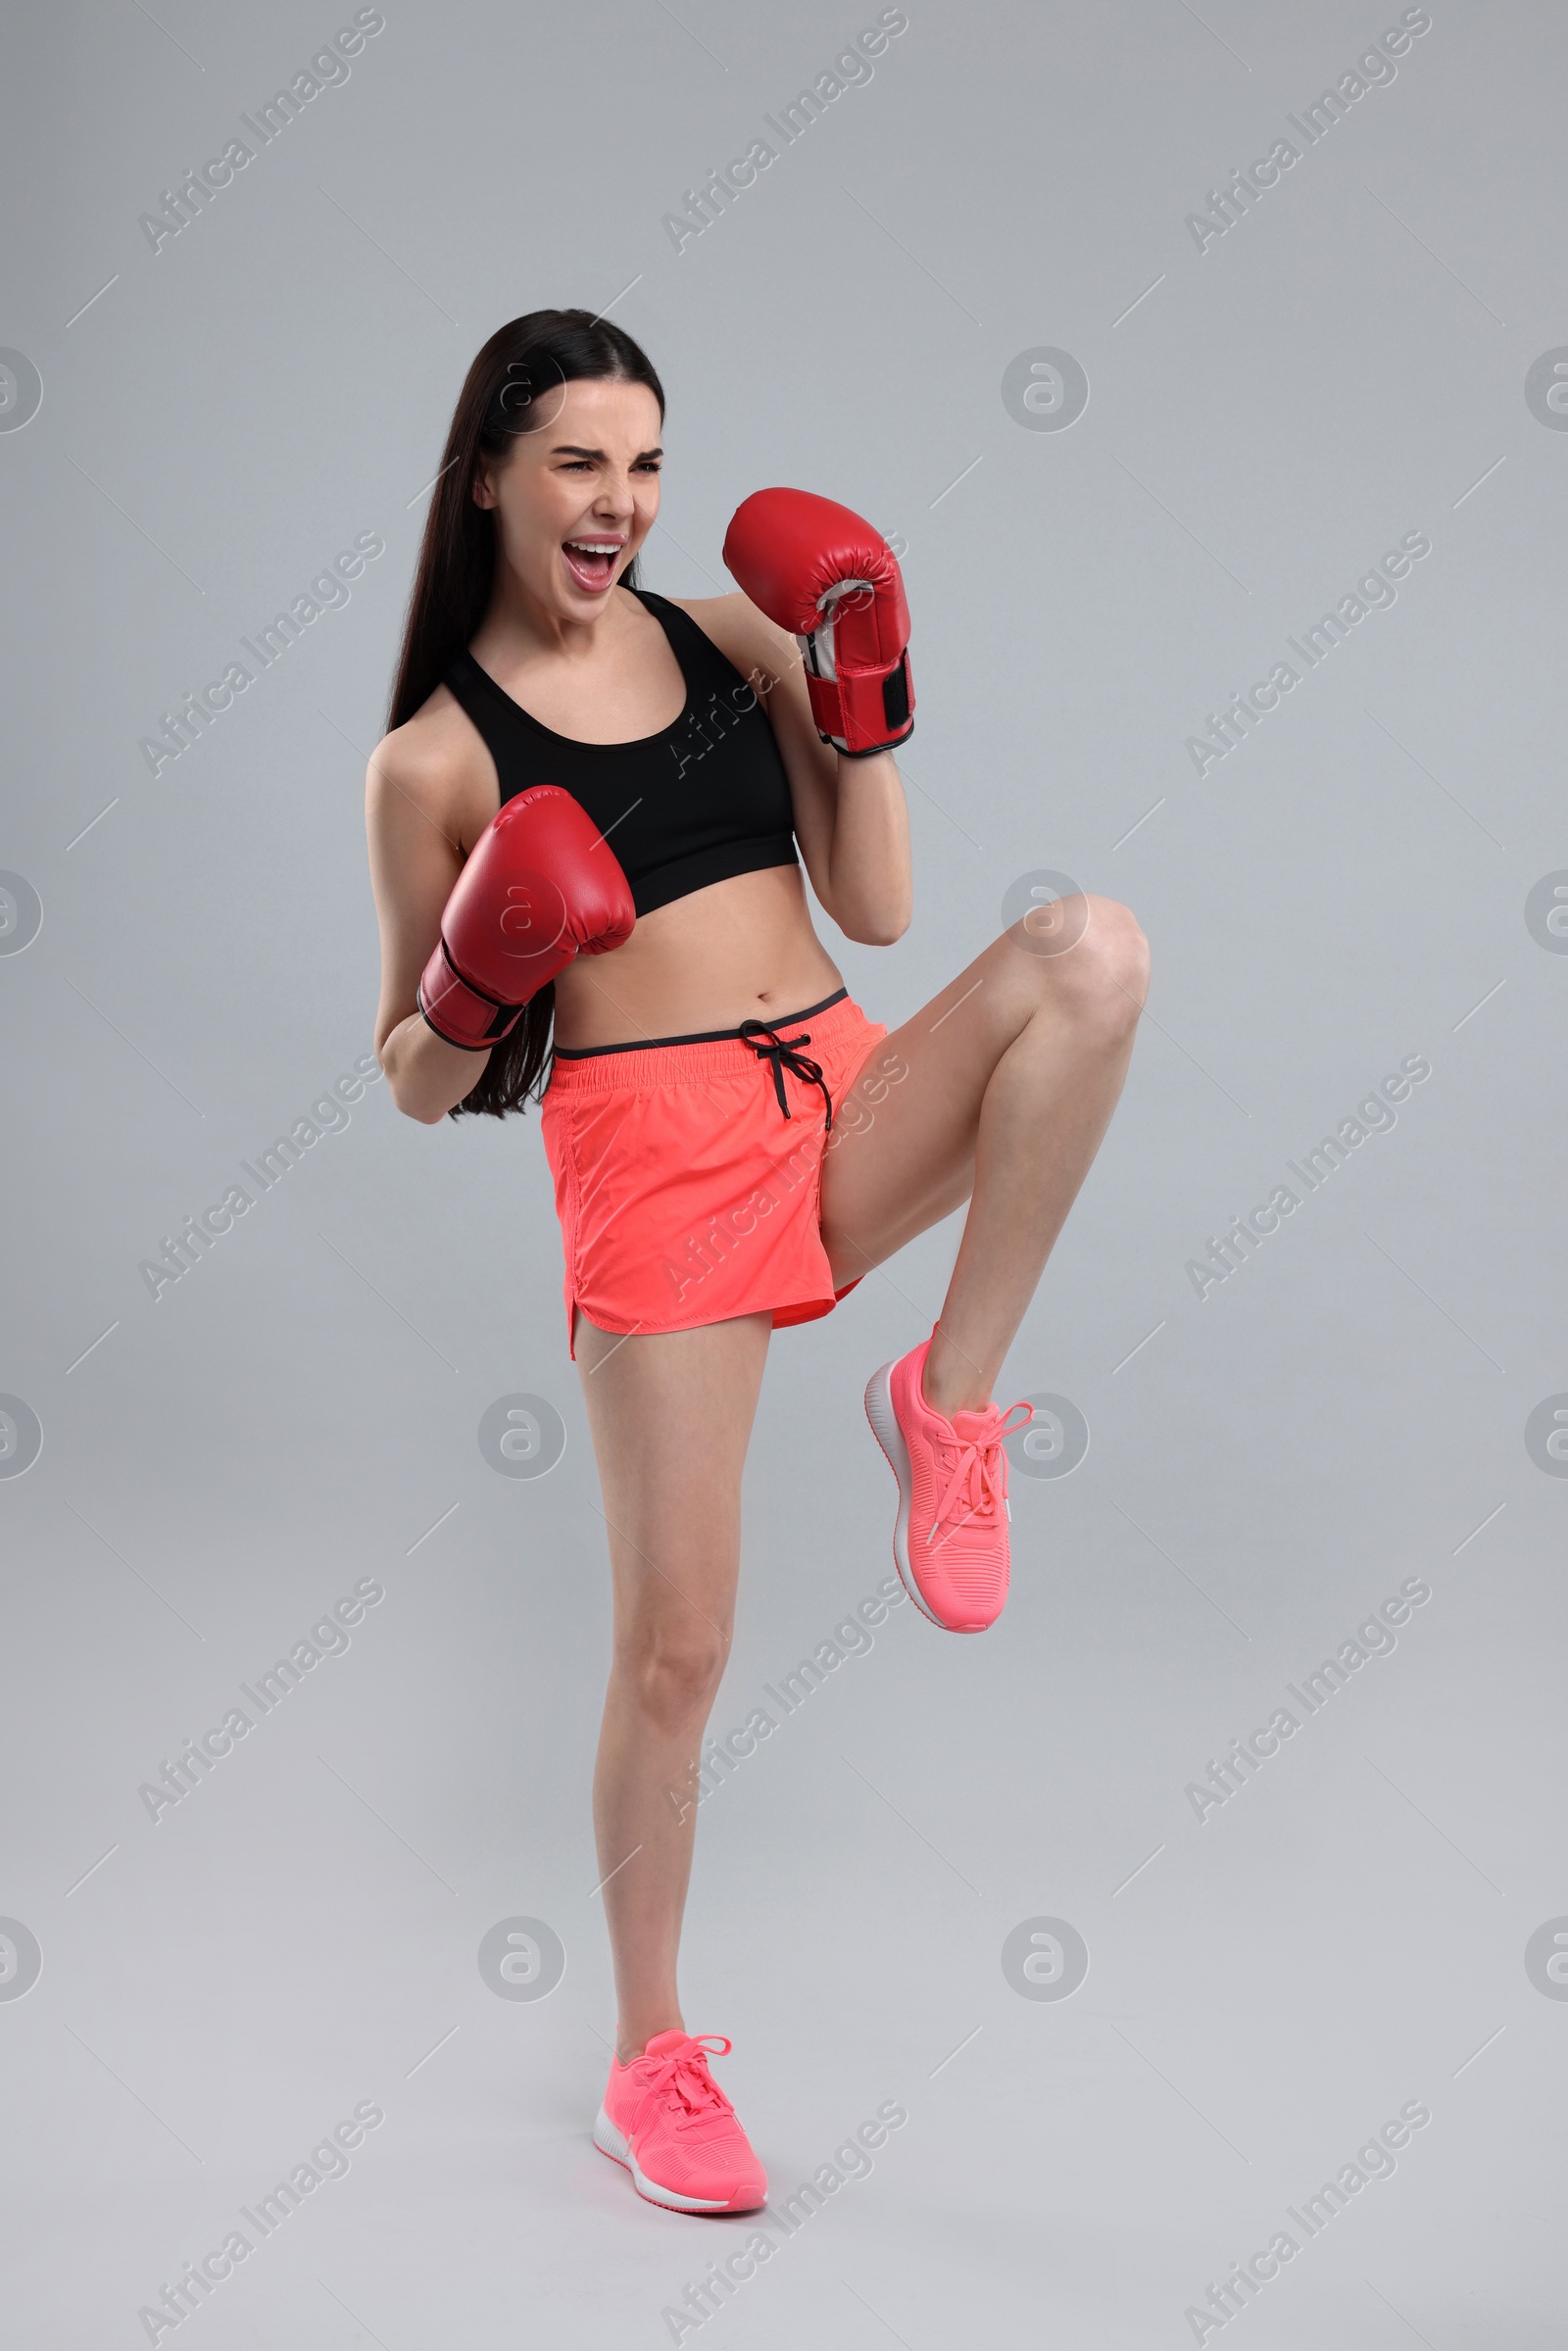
pixel 688 1172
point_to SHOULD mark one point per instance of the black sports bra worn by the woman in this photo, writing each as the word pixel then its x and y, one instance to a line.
pixel 697 803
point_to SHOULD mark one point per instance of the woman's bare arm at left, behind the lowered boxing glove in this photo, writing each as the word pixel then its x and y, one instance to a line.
pixel 415 857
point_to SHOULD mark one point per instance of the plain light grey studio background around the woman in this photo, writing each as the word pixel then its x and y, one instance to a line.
pixel 1266 417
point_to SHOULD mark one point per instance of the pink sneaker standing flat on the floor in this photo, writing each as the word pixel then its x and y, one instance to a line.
pixel 666 2119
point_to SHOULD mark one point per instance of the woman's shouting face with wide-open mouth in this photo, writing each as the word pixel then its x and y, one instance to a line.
pixel 577 495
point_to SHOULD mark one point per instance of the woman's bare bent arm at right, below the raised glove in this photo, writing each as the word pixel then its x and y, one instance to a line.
pixel 850 815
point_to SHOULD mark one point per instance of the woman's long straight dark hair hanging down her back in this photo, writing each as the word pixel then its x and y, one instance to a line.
pixel 457 565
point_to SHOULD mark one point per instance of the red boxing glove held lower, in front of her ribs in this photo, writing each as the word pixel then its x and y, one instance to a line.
pixel 540 890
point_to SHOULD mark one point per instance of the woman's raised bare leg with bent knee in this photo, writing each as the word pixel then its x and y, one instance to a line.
pixel 1012 1076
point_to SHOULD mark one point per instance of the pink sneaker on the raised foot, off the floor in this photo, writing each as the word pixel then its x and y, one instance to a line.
pixel 953 1515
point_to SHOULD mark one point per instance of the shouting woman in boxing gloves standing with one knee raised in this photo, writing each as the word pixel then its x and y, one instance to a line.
pixel 636 777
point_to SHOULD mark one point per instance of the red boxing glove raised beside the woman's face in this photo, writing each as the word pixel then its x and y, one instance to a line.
pixel 833 582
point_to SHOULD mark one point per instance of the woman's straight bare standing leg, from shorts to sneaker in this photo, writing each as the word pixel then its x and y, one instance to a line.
pixel 671 1419
